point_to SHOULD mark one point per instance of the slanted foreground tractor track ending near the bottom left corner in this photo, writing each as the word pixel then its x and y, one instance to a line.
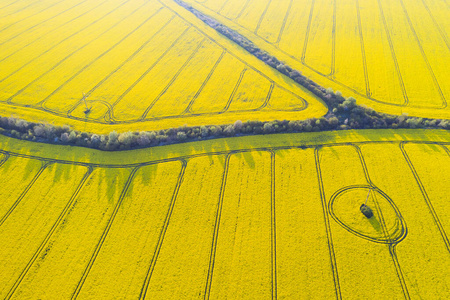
pixel 49 234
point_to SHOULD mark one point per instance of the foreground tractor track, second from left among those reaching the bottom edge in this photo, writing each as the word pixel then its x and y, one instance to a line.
pixel 105 233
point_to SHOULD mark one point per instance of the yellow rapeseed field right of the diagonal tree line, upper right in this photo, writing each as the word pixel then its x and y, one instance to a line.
pixel 390 55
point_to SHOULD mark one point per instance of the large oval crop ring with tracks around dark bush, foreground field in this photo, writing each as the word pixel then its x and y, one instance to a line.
pixel 386 226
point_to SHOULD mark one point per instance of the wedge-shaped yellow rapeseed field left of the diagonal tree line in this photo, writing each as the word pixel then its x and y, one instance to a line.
pixel 140 64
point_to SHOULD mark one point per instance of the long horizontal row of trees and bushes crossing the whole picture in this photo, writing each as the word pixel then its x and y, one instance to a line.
pixel 346 114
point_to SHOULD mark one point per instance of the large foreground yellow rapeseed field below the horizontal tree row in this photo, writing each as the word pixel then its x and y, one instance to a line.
pixel 276 216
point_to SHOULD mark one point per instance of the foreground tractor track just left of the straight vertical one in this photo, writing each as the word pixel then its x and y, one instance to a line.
pixel 215 236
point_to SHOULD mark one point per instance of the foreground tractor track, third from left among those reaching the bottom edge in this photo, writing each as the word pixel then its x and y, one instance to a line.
pixel 162 234
